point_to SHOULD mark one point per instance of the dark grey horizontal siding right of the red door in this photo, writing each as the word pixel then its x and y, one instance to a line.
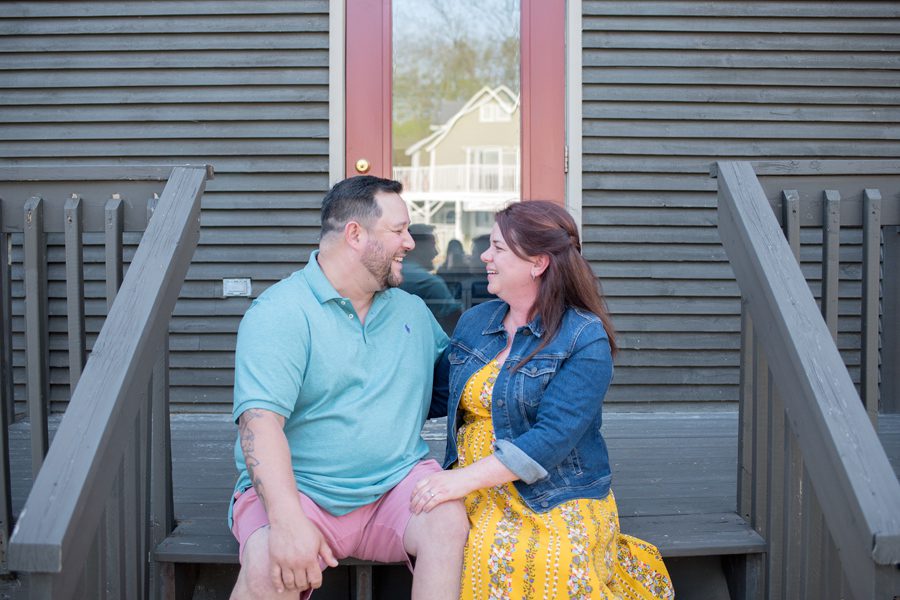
pixel 670 87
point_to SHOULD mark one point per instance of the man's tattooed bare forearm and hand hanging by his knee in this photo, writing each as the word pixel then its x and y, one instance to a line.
pixel 295 544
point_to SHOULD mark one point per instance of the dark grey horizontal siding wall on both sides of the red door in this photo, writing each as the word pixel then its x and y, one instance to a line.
pixel 668 87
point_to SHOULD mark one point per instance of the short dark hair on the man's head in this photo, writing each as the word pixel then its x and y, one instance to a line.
pixel 353 199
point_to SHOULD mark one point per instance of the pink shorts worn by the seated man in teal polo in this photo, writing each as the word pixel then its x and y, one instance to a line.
pixel 371 532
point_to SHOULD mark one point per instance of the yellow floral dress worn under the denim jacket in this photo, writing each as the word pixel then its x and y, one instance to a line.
pixel 572 551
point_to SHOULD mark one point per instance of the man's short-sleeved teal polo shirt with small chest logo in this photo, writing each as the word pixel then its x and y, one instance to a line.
pixel 354 396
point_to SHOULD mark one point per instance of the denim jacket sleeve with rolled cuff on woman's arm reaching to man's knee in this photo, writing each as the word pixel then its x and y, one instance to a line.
pixel 571 403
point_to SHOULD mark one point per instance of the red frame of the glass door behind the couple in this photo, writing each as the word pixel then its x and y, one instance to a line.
pixel 543 80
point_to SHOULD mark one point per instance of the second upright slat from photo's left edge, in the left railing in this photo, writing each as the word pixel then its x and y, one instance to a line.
pixel 36 338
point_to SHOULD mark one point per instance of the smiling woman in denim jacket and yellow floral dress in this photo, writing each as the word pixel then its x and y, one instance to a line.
pixel 525 378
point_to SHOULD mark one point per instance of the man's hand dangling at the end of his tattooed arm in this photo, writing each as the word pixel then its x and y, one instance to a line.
pixel 295 549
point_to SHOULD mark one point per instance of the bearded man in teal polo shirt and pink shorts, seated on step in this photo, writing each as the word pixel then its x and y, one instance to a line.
pixel 333 376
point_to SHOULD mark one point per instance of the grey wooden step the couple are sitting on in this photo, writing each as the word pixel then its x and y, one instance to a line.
pixel 208 541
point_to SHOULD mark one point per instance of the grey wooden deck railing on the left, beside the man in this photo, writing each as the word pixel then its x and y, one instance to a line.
pixel 102 495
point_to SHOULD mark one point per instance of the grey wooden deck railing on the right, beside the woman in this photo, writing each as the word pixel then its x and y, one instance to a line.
pixel 814 480
